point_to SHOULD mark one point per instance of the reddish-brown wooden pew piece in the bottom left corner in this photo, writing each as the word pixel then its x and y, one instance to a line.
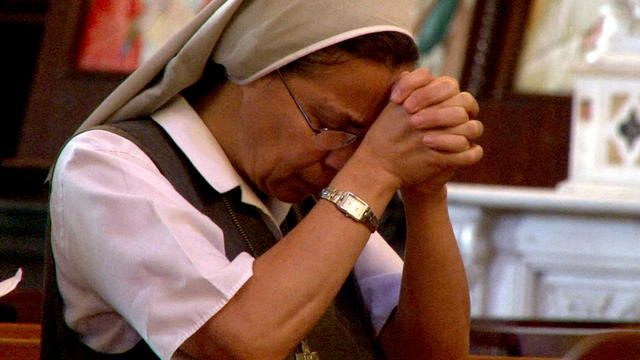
pixel 20 341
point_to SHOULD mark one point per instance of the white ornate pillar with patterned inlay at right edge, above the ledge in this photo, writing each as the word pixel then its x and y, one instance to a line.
pixel 605 120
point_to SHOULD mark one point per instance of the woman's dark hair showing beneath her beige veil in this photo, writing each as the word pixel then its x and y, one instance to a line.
pixel 392 49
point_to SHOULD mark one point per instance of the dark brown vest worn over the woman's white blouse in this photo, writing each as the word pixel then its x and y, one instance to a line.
pixel 344 331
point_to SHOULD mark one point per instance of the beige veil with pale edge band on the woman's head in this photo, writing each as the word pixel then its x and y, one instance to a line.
pixel 250 38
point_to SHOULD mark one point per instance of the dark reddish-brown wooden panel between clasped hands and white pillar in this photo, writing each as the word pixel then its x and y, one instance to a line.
pixel 526 143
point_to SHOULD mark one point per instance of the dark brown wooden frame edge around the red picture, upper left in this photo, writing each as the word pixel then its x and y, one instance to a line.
pixel 61 97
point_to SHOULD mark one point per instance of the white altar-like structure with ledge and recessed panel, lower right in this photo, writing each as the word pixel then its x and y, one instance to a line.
pixel 538 253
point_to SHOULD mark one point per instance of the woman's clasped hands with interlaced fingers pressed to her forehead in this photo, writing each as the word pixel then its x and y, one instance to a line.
pixel 426 131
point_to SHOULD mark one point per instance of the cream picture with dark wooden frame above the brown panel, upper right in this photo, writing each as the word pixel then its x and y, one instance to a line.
pixel 531 47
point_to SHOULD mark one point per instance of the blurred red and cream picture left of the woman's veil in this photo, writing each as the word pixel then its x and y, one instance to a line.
pixel 117 35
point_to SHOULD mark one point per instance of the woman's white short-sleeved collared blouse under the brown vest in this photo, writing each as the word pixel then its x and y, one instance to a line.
pixel 134 259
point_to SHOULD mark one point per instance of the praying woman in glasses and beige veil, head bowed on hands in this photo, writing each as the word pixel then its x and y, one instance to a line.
pixel 166 222
